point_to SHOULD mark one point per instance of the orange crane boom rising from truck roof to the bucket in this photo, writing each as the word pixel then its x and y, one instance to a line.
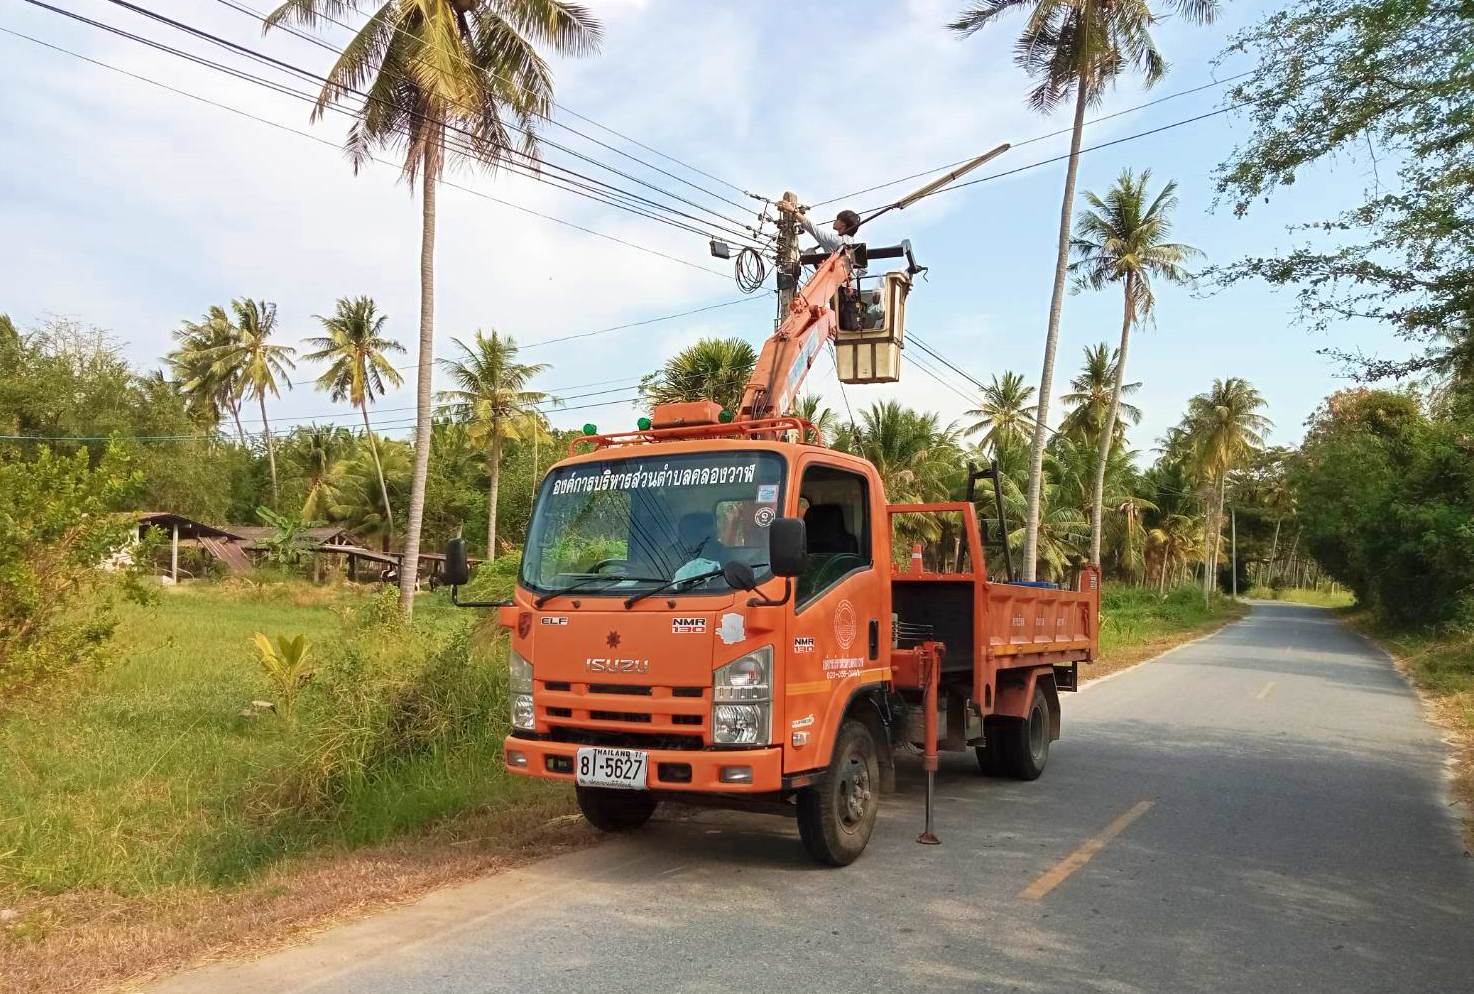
pixel 792 349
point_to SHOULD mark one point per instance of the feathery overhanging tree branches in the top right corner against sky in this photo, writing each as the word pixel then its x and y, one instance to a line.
pixel 1389 83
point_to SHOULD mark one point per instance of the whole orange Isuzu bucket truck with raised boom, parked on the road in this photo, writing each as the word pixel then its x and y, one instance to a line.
pixel 720 611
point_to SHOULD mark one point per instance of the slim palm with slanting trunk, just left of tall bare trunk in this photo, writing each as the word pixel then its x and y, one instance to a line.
pixel 359 368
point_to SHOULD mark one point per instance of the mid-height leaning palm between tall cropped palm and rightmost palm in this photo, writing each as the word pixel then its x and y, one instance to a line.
pixel 1122 238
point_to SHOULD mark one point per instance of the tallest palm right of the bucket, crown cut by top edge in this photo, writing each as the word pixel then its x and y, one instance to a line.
pixel 1074 49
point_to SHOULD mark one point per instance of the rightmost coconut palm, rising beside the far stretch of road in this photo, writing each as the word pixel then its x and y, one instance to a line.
pixel 1224 428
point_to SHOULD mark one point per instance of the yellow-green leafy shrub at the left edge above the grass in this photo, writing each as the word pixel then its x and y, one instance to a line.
pixel 57 535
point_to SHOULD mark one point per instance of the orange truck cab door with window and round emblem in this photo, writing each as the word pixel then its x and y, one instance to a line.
pixel 841 630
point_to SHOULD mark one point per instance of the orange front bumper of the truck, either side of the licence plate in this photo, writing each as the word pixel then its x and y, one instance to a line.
pixel 696 771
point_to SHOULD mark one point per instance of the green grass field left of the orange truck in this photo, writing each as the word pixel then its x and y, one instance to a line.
pixel 148 776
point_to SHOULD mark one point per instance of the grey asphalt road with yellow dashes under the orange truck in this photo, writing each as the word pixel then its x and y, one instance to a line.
pixel 1260 812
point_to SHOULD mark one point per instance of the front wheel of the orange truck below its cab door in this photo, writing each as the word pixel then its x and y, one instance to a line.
pixel 836 818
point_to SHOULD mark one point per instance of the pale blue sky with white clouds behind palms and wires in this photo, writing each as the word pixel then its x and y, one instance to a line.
pixel 135 209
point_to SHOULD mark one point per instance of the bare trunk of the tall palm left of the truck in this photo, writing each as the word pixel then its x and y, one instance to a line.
pixel 411 564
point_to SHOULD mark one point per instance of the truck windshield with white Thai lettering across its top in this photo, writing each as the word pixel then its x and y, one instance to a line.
pixel 621 526
